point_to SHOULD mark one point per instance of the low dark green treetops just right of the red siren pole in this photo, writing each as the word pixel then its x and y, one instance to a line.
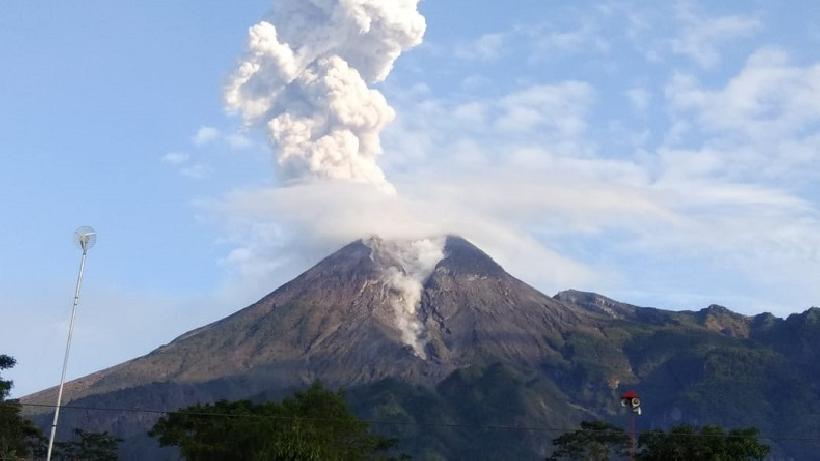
pixel 712 443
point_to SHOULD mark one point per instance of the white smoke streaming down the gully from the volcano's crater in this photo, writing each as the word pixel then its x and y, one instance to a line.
pixel 412 263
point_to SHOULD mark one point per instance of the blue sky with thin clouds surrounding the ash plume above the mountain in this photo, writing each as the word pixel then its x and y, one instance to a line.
pixel 662 153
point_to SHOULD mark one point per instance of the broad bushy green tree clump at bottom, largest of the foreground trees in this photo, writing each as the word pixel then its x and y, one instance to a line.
pixel 314 424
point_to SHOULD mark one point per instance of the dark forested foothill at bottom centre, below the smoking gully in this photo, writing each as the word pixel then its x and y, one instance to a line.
pixel 478 412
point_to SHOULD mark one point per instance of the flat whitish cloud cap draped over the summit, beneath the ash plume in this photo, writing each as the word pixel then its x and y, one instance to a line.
pixel 349 212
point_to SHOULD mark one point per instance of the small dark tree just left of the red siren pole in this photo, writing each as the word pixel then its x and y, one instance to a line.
pixel 593 441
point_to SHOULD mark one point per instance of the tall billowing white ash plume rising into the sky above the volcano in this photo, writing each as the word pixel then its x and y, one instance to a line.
pixel 305 76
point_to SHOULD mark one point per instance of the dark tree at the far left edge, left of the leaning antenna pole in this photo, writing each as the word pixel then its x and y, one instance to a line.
pixel 18 437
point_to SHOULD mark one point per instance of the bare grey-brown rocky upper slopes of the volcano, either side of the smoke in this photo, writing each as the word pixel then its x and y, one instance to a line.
pixel 338 322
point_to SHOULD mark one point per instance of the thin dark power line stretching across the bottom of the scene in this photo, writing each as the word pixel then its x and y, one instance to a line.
pixel 409 423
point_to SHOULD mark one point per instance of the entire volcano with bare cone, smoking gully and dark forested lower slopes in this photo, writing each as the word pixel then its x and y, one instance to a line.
pixel 433 331
